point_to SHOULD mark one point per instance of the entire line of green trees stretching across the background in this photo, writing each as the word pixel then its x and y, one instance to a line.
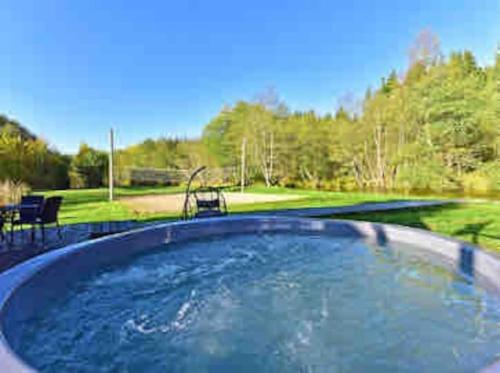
pixel 435 126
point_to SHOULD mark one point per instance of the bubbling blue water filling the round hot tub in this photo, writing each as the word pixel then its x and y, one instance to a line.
pixel 267 302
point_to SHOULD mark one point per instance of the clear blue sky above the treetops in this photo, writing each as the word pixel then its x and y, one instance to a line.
pixel 70 69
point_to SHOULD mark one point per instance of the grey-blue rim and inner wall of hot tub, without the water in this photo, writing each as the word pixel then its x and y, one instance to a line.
pixel 29 286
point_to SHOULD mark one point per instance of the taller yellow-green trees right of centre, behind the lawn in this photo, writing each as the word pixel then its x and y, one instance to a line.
pixel 435 127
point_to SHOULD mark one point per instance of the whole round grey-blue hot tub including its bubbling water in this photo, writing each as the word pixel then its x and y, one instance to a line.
pixel 254 294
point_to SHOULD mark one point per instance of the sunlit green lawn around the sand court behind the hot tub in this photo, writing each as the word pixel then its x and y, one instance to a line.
pixel 474 221
